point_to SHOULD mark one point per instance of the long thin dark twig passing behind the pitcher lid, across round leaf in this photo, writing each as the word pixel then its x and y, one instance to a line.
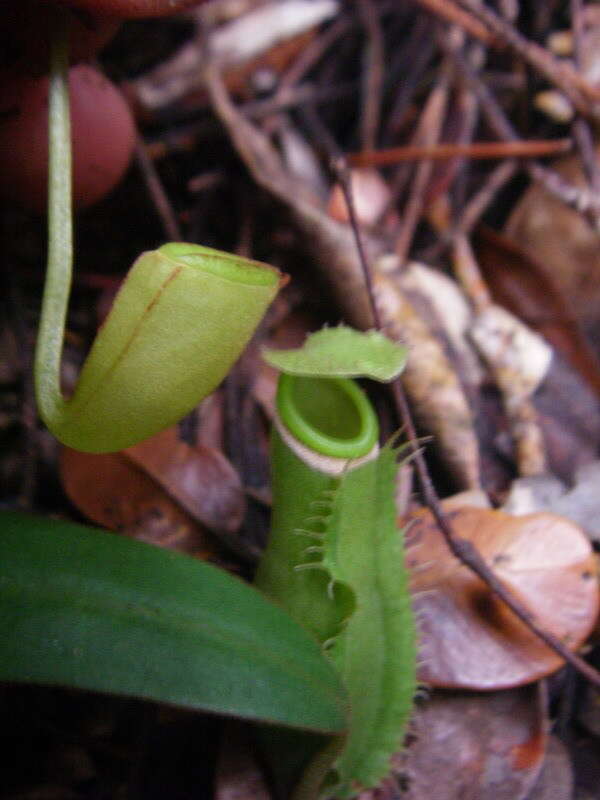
pixel 463 549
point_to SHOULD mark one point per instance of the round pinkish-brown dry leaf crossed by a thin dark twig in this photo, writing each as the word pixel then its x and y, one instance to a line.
pixel 468 637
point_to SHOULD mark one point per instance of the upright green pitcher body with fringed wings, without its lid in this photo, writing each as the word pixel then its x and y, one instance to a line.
pixel 335 562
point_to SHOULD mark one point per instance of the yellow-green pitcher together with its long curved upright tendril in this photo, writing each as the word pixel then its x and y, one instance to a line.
pixel 180 320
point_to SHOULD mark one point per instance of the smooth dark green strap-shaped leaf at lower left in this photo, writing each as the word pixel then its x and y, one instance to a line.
pixel 89 609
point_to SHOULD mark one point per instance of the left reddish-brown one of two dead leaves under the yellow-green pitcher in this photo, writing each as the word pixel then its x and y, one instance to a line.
pixel 111 491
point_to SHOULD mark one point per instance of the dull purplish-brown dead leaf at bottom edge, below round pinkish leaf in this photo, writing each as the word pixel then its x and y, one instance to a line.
pixel 476 747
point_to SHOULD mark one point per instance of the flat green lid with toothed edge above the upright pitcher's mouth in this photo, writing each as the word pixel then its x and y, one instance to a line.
pixel 343 353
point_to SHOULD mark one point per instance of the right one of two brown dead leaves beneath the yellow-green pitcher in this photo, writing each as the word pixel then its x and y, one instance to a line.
pixel 200 478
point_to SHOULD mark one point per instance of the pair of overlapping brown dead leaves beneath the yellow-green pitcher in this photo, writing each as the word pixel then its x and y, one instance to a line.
pixel 162 490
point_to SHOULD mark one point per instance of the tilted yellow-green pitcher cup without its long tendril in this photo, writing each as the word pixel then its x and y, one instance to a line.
pixel 181 319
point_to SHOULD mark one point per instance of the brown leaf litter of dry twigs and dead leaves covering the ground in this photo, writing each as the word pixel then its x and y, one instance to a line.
pixel 433 102
